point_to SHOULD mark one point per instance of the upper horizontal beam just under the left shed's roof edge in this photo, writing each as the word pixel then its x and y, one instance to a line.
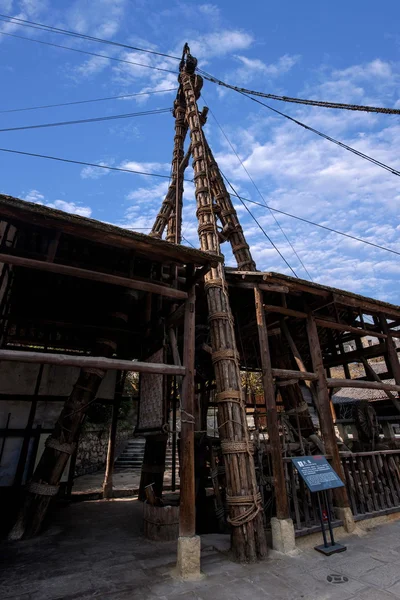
pixel 135 284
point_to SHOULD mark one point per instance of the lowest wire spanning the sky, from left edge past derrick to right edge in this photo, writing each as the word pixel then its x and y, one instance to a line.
pixel 234 193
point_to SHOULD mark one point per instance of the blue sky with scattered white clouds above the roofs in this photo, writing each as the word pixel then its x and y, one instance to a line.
pixel 342 51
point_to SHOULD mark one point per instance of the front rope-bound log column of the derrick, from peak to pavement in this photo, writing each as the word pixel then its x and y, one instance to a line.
pixel 248 537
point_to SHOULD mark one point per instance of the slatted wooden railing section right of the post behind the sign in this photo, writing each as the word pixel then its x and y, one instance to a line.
pixel 372 481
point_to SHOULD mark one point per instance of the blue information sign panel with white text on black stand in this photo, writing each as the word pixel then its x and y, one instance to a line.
pixel 317 473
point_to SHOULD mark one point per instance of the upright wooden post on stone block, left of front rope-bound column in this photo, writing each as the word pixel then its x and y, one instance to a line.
pixel 187 515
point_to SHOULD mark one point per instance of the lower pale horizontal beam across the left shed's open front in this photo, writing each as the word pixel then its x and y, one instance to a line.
pixel 93 362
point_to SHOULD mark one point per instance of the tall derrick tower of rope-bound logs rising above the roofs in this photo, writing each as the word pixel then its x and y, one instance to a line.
pixel 213 201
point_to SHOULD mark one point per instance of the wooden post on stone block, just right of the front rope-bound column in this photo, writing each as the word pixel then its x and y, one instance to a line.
pixel 282 506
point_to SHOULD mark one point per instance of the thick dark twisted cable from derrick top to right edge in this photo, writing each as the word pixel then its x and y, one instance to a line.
pixel 321 103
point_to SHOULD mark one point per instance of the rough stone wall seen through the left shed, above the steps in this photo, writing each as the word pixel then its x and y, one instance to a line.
pixel 93 444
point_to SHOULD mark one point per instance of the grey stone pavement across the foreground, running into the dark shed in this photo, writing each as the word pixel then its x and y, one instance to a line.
pixel 95 550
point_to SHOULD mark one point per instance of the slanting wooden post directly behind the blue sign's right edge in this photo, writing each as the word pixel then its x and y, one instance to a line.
pixel 324 411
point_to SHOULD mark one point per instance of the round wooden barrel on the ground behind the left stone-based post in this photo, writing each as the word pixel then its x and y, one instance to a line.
pixel 161 523
